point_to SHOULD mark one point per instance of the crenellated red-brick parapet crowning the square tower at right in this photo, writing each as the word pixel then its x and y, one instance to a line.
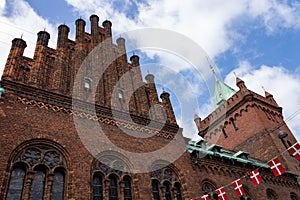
pixel 240 102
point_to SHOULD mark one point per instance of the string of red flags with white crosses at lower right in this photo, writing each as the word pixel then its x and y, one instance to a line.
pixel 255 176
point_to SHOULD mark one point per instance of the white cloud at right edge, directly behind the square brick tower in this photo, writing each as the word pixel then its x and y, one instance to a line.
pixel 277 80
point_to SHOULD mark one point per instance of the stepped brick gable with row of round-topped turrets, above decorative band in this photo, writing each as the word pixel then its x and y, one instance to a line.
pixel 119 83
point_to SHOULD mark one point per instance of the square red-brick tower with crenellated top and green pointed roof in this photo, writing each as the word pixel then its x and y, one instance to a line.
pixel 247 121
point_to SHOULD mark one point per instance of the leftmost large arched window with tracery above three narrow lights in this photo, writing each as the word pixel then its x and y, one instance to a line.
pixel 40 160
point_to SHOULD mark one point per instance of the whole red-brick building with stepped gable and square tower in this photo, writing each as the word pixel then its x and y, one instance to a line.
pixel 66 113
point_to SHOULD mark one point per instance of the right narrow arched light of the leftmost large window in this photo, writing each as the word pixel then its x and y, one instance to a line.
pixel 58 186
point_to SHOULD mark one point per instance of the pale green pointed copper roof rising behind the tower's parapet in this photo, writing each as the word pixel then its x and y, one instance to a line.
pixel 221 94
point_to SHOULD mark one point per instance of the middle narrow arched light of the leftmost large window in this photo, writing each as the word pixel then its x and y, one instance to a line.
pixel 38 185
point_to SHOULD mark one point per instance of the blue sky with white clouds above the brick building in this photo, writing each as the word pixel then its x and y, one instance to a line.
pixel 259 40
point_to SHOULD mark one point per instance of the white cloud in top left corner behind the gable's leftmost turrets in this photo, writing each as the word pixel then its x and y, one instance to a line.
pixel 21 21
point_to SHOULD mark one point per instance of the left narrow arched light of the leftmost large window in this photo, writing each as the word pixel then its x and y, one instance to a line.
pixel 16 183
